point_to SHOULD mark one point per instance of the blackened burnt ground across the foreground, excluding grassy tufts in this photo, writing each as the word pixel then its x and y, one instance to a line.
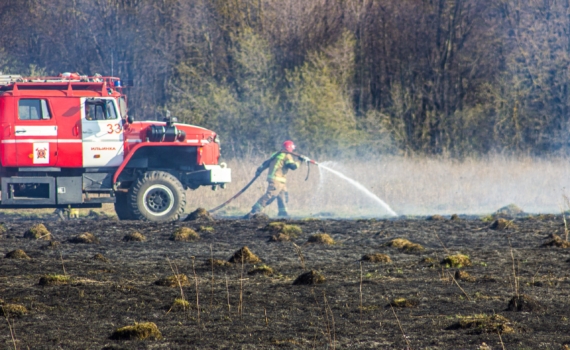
pixel 103 296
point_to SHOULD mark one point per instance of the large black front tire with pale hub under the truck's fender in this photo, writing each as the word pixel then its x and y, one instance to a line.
pixel 157 196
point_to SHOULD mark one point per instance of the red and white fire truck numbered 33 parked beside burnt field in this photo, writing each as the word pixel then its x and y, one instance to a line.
pixel 67 142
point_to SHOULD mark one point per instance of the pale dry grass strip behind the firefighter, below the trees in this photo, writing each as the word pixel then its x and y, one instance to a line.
pixel 411 186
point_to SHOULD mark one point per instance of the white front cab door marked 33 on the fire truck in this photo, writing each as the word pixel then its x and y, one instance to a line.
pixel 102 133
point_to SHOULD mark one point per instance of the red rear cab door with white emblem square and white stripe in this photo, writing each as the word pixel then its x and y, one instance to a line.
pixel 35 133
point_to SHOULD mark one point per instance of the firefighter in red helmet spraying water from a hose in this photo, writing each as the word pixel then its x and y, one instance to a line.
pixel 278 164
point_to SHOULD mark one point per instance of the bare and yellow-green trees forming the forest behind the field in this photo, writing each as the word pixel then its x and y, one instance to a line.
pixel 456 78
